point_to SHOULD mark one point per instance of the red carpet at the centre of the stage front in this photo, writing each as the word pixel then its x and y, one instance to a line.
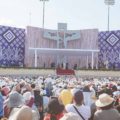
pixel 65 71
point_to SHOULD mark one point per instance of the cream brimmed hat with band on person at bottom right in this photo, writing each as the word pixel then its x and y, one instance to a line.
pixel 104 100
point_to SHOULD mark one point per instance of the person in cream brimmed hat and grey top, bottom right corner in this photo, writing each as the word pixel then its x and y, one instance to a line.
pixel 106 110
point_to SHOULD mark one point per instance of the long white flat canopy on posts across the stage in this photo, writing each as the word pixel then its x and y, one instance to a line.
pixel 70 52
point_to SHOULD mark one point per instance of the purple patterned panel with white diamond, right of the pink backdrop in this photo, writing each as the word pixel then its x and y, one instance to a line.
pixel 109 45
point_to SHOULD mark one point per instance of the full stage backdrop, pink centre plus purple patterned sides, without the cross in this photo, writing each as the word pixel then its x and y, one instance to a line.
pixel 14 47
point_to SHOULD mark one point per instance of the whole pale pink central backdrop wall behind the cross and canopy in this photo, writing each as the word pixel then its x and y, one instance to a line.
pixel 81 39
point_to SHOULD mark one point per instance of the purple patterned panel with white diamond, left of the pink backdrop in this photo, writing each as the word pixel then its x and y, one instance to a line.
pixel 12 46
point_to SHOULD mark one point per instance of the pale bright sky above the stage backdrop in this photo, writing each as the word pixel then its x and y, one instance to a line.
pixel 78 14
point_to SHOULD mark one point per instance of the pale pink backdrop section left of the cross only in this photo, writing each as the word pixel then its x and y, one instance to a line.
pixel 35 39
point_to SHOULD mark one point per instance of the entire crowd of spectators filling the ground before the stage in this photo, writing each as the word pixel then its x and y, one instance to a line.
pixel 59 98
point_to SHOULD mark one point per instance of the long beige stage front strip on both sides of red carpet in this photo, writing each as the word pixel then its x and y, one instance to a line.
pixel 36 72
